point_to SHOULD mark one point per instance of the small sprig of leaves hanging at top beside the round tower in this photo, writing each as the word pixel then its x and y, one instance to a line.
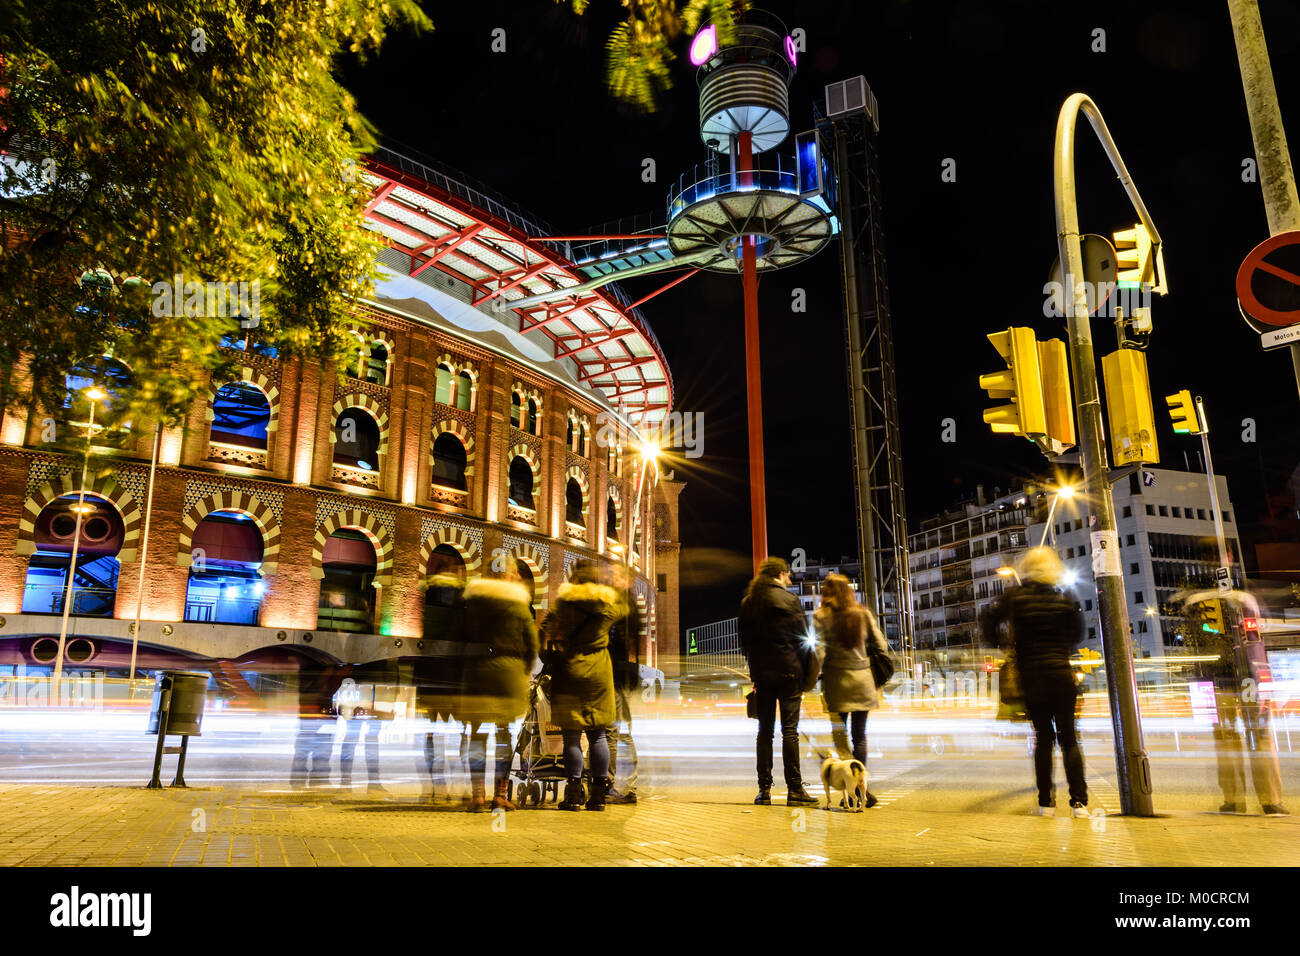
pixel 639 53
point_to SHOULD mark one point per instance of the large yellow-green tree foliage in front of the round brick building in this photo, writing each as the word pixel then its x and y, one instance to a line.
pixel 202 139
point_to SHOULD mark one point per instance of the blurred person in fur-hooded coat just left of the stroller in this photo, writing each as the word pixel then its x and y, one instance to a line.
pixel 501 648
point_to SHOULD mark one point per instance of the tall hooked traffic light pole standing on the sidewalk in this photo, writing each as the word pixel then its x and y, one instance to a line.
pixel 1132 764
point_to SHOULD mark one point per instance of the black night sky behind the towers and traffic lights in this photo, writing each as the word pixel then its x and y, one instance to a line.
pixel 976 83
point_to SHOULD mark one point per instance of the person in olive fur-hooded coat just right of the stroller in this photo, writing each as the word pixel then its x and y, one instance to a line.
pixel 583 702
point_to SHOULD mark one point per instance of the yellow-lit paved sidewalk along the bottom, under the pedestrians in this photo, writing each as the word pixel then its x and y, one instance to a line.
pixel 219 827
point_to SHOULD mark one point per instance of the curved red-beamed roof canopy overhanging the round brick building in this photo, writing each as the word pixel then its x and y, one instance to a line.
pixel 502 256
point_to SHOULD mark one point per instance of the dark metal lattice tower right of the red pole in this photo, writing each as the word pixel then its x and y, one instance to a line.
pixel 852 127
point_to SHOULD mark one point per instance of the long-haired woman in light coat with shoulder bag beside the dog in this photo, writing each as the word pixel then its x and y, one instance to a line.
pixel 848 687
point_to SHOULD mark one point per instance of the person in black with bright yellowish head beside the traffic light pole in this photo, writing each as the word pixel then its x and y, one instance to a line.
pixel 1043 629
